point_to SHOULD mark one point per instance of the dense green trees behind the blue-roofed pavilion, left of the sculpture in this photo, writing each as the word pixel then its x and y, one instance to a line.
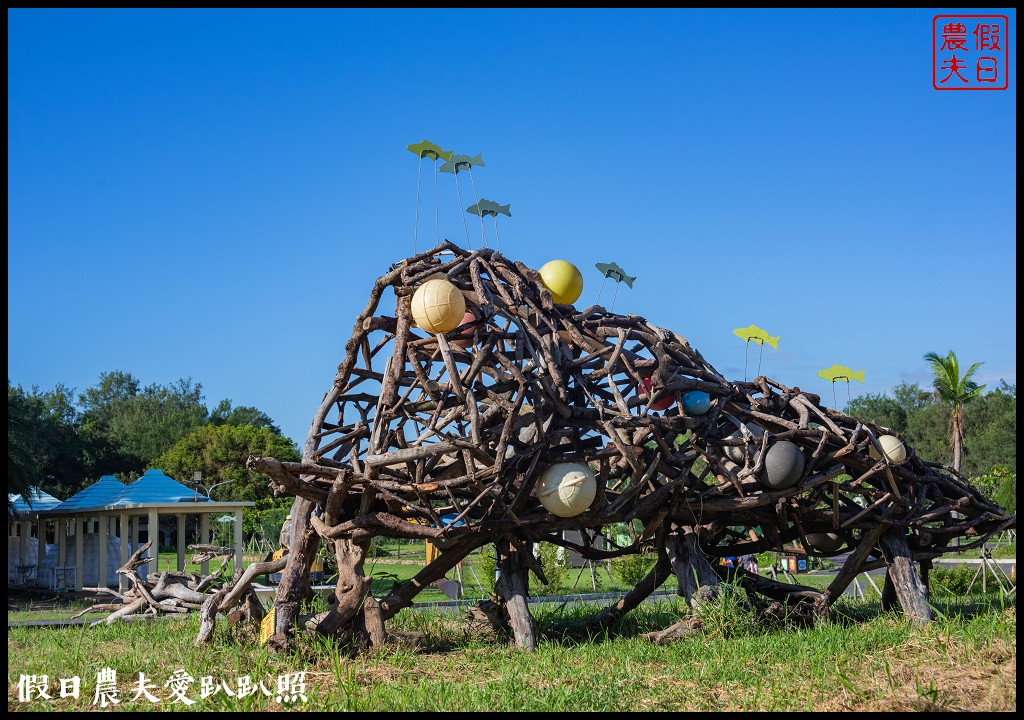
pixel 61 441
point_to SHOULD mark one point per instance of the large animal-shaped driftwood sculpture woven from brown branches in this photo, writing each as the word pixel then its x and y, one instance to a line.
pixel 420 427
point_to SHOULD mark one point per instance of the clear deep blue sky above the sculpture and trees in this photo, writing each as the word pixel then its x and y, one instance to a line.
pixel 211 194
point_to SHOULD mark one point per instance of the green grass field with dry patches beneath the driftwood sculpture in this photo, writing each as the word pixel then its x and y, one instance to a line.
pixel 861 660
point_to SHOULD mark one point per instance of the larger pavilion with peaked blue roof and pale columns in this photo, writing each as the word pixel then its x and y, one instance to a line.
pixel 111 514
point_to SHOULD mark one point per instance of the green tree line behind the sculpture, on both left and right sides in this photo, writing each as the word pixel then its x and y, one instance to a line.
pixel 61 441
